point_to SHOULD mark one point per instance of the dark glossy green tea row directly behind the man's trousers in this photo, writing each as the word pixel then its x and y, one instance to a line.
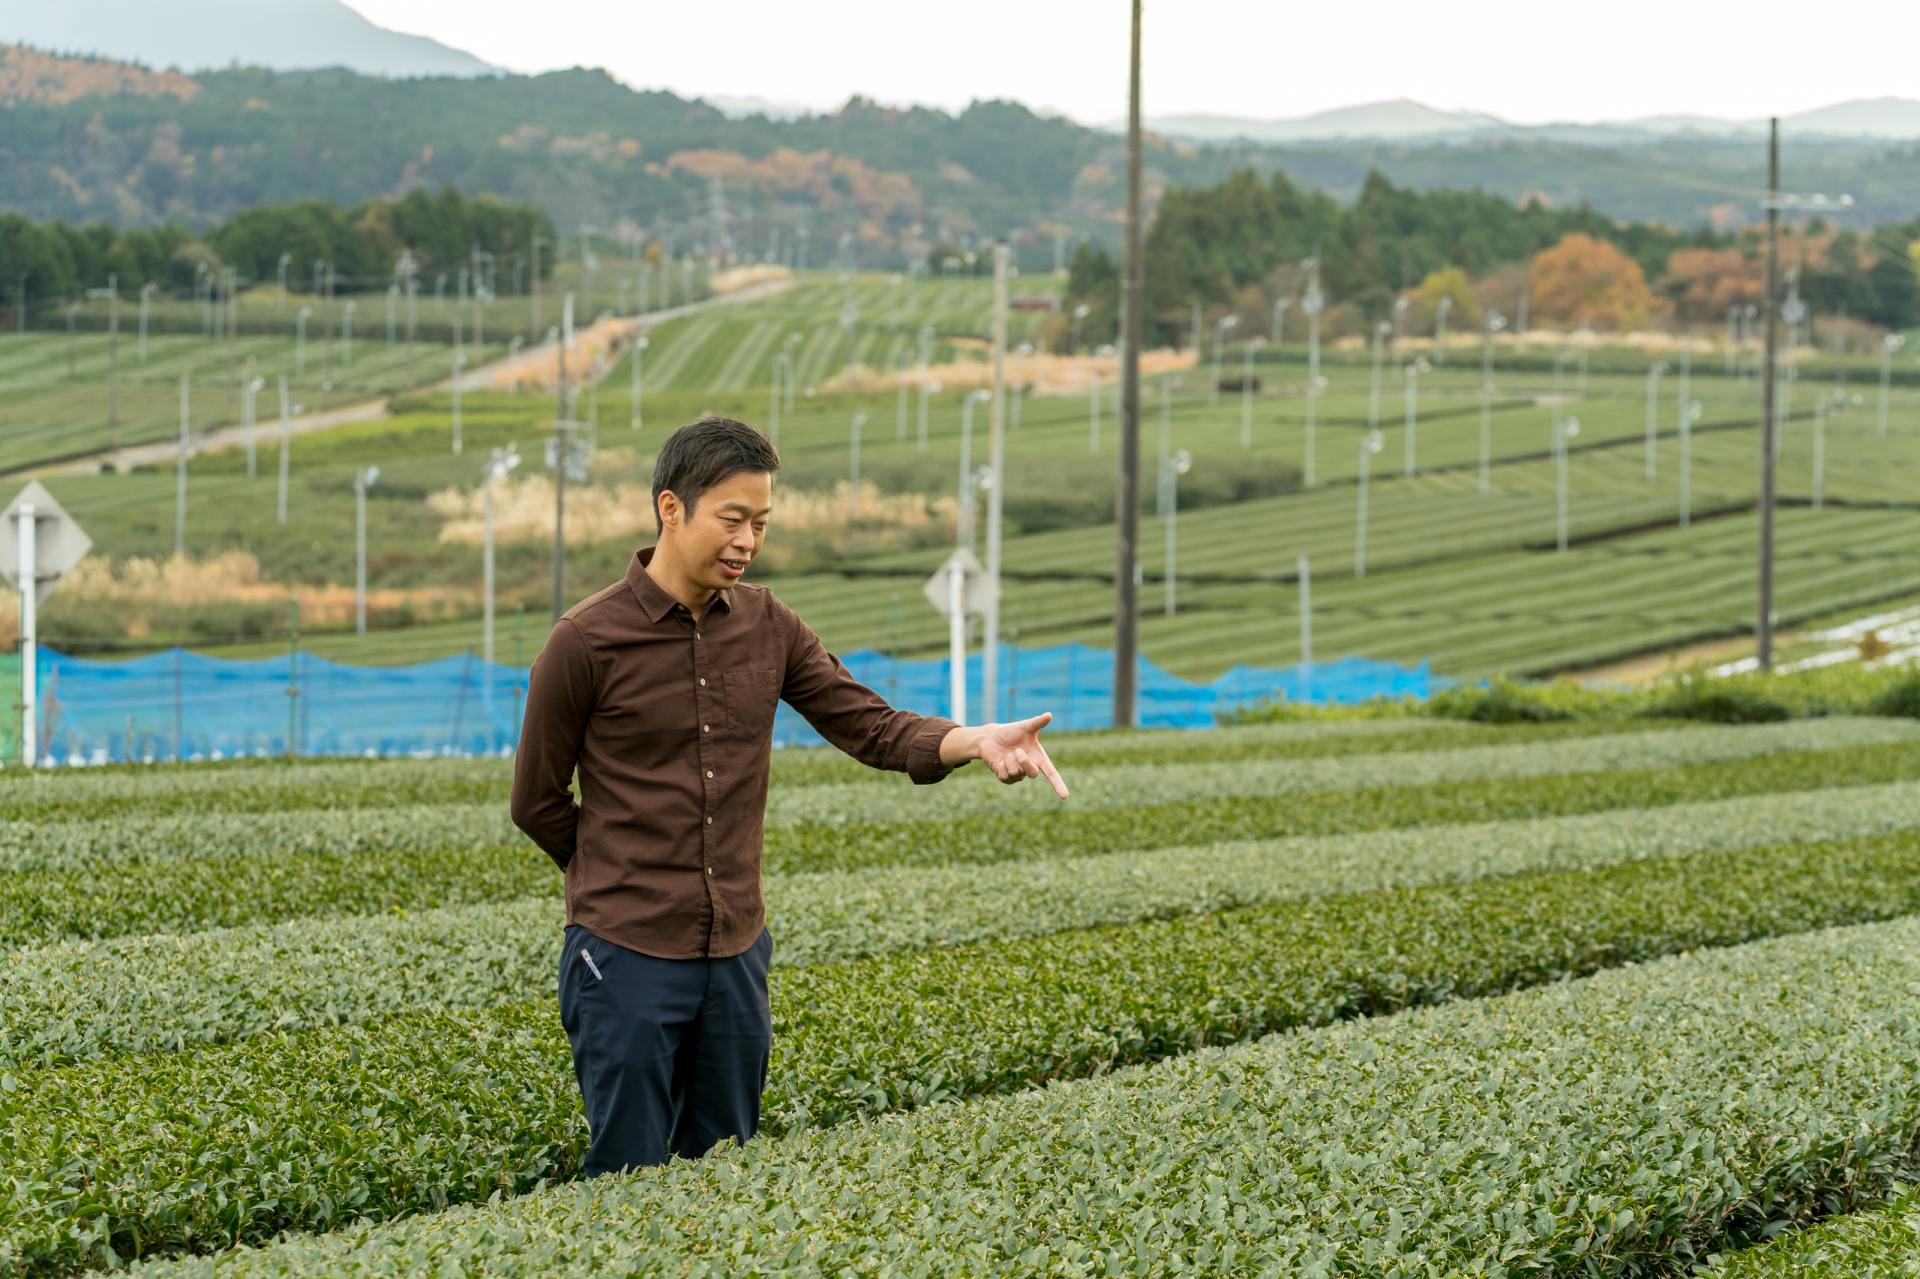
pixel 201 1149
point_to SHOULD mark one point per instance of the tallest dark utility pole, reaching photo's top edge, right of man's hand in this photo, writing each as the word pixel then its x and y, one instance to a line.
pixel 1126 604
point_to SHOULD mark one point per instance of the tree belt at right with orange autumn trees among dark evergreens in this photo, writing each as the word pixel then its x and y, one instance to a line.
pixel 1239 247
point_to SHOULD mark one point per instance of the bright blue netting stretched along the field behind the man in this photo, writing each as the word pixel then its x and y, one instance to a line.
pixel 210 708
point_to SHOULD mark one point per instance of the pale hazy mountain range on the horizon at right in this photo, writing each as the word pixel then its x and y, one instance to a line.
pixel 1414 122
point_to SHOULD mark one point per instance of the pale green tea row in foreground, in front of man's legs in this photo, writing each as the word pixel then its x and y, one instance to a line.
pixel 1620 1126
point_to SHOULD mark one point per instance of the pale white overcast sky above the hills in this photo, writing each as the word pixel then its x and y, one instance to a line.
pixel 1524 60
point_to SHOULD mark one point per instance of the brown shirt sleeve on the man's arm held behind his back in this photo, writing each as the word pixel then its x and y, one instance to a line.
pixel 560 698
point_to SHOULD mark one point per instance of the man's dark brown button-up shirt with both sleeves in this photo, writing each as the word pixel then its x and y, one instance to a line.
pixel 669 721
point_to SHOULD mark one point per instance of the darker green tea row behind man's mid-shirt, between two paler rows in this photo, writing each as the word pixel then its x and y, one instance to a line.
pixel 241 886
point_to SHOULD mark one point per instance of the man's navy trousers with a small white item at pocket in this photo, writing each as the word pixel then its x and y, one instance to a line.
pixel 671 1055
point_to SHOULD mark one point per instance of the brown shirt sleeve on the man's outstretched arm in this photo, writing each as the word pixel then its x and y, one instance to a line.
pixel 855 717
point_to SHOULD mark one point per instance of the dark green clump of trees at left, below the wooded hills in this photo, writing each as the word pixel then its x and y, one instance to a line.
pixel 57 260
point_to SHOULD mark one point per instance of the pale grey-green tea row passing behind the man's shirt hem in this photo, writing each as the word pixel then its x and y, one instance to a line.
pixel 168 992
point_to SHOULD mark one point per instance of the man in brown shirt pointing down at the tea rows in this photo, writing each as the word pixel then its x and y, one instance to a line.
pixel 661 690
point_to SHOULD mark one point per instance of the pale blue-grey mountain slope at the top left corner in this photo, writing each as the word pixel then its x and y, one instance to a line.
pixel 216 34
